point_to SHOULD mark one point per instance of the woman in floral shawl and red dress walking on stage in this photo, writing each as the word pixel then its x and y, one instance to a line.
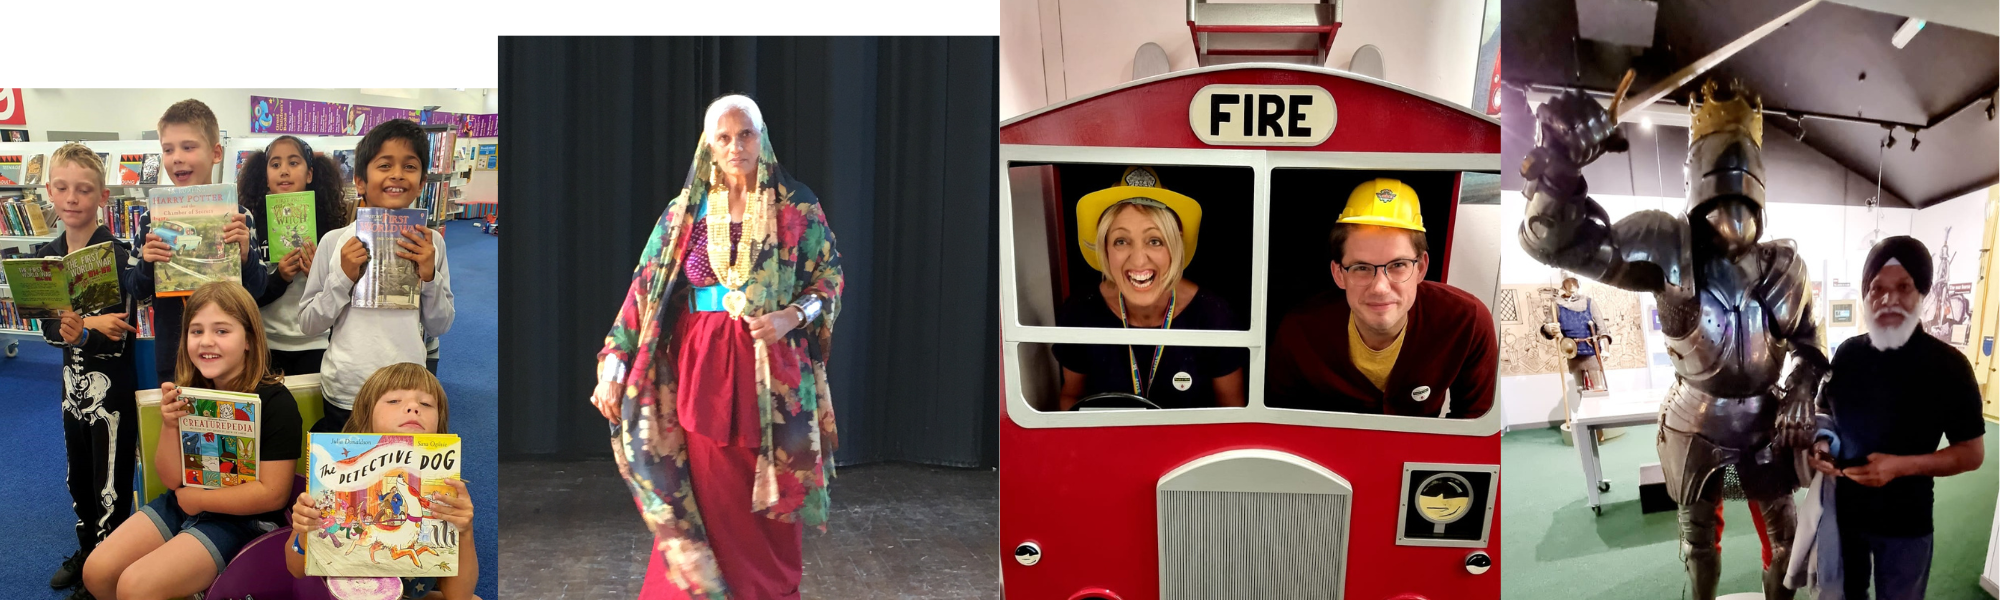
pixel 715 373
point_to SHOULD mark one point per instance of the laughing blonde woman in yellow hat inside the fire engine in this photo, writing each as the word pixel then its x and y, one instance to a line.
pixel 1145 237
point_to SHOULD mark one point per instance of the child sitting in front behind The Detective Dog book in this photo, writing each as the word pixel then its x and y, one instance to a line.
pixel 403 399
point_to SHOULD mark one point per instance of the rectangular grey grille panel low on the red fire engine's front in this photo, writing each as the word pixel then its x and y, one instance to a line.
pixel 1251 545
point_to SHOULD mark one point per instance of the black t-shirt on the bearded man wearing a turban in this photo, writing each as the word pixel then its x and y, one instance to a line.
pixel 1897 403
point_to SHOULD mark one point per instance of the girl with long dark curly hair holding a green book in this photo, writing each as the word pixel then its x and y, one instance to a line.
pixel 291 167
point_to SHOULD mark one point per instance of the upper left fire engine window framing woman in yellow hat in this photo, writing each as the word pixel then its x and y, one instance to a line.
pixel 1175 239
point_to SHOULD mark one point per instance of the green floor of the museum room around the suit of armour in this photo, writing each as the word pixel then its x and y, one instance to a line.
pixel 1557 549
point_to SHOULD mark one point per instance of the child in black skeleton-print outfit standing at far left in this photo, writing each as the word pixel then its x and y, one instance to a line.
pixel 99 415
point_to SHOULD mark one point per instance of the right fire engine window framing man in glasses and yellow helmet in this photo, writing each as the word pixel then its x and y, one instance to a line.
pixel 1371 327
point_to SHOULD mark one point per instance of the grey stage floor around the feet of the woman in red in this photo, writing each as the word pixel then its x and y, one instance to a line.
pixel 897 531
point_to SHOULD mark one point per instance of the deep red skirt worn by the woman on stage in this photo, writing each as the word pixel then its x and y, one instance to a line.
pixel 717 405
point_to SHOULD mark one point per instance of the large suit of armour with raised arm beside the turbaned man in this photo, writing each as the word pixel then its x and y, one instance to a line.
pixel 1737 313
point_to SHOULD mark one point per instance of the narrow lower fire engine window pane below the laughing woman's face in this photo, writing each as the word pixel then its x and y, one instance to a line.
pixel 1099 377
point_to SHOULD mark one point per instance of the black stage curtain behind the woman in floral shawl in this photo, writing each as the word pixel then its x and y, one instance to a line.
pixel 897 137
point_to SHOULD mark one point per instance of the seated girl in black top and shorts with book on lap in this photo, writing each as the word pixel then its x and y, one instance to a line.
pixel 189 533
